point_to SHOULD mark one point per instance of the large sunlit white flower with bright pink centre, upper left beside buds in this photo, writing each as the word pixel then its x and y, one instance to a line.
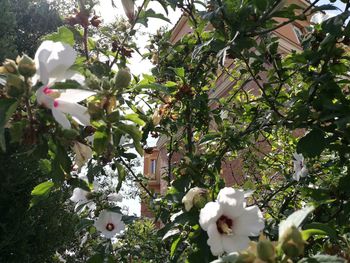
pixel 53 60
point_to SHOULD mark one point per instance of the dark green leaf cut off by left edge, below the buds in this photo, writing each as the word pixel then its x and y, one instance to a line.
pixel 7 108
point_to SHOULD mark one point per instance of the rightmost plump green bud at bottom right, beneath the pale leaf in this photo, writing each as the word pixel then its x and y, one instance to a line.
pixel 292 242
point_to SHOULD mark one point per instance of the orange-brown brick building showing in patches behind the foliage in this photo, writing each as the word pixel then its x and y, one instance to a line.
pixel 155 163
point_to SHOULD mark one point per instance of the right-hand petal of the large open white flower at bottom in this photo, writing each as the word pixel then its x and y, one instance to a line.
pixel 250 223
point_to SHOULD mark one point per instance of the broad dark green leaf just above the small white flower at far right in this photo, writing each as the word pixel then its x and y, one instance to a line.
pixel 312 144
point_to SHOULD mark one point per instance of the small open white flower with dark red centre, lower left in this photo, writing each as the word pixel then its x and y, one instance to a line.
pixel 109 223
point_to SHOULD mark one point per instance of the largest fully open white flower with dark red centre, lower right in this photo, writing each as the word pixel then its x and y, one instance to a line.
pixel 229 222
